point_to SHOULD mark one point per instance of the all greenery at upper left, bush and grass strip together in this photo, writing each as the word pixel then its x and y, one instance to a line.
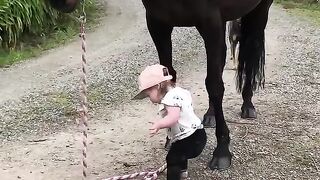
pixel 38 27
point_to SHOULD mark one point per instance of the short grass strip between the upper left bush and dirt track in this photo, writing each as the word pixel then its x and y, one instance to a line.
pixel 64 33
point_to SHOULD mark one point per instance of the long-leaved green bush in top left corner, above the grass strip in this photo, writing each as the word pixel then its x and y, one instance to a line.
pixel 32 18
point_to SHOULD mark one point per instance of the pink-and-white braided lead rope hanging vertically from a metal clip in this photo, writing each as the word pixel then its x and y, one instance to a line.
pixel 83 92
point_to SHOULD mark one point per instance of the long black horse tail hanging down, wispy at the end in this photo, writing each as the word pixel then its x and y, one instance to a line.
pixel 251 54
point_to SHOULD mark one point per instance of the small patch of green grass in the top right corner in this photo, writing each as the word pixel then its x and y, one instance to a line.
pixel 305 9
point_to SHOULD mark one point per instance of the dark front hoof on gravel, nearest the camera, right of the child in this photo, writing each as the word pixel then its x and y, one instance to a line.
pixel 220 160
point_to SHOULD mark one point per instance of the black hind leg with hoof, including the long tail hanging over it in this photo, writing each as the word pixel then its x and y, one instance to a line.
pixel 252 56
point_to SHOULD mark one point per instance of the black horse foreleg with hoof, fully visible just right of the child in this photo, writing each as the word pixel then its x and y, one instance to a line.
pixel 213 32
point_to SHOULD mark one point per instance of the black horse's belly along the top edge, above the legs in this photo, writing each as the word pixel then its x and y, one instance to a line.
pixel 190 12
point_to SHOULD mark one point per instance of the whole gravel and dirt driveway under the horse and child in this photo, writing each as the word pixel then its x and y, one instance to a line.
pixel 283 143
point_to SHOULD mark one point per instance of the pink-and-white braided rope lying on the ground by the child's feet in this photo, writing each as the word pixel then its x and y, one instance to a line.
pixel 152 175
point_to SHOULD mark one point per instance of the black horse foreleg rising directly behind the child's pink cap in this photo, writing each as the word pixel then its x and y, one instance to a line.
pixel 161 35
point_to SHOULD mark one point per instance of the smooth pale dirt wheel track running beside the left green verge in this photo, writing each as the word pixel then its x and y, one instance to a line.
pixel 39 73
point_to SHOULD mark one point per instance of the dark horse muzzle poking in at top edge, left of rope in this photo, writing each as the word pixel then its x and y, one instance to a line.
pixel 65 6
